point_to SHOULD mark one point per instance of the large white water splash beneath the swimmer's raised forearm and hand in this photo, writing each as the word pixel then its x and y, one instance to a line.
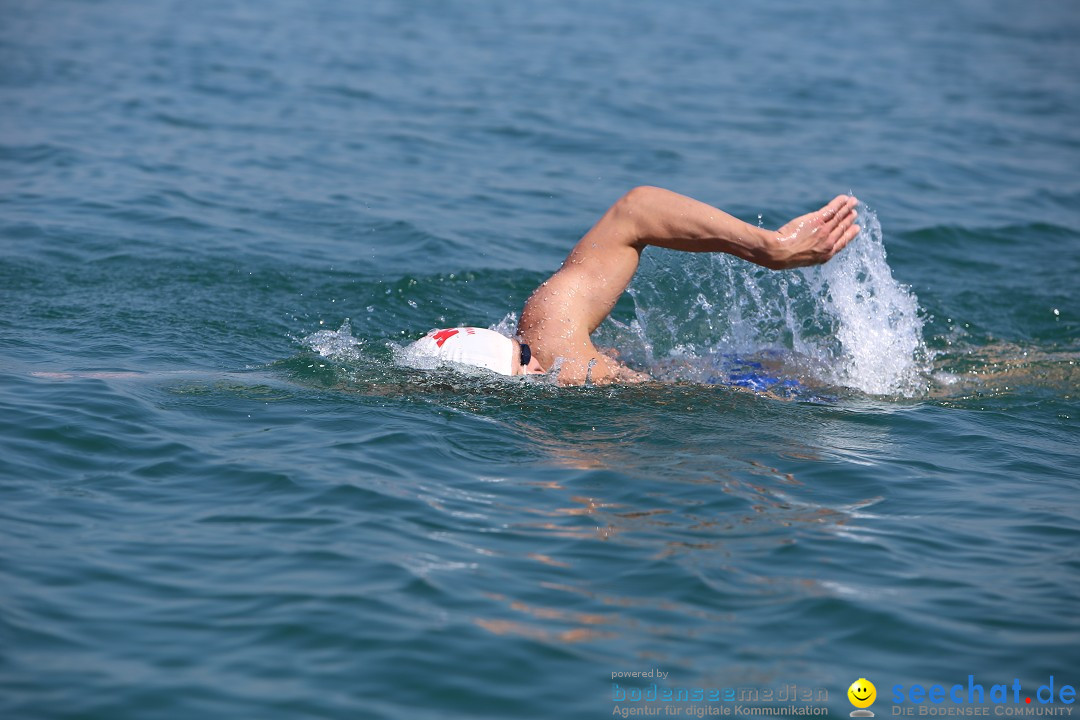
pixel 847 323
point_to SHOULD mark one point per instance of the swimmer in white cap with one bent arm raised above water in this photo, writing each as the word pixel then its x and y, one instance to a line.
pixel 561 316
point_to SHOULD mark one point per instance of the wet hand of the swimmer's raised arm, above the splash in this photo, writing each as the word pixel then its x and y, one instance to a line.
pixel 814 238
